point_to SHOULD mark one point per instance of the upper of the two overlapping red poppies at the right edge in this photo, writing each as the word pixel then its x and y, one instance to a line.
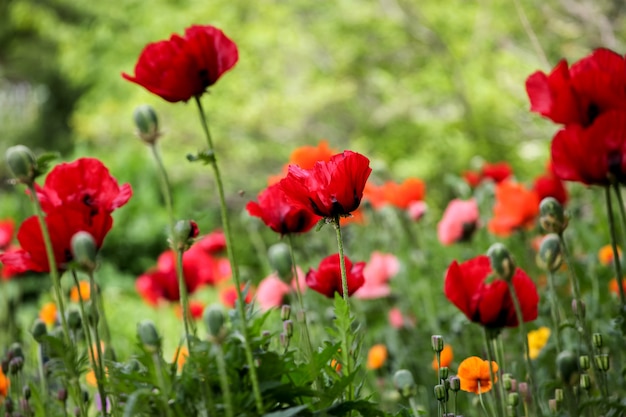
pixel 591 87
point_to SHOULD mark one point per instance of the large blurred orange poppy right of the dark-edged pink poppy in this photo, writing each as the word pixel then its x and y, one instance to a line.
pixel 516 207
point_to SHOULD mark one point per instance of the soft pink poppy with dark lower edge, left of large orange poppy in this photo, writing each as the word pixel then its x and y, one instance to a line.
pixel 459 221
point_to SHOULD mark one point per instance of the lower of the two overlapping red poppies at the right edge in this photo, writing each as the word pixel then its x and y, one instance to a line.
pixel 592 155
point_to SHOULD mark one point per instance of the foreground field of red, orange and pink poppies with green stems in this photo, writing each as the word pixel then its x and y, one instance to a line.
pixel 336 292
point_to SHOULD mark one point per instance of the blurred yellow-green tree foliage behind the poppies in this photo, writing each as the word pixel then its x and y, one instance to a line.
pixel 423 88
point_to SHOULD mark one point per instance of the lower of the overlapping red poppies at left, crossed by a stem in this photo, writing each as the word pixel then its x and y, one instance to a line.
pixel 62 222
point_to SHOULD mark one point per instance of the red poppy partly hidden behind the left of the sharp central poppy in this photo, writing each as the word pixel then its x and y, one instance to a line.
pixel 280 214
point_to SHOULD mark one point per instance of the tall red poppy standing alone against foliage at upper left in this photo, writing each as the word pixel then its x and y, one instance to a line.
pixel 184 66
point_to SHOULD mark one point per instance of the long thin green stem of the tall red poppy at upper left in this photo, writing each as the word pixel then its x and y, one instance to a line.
pixel 233 264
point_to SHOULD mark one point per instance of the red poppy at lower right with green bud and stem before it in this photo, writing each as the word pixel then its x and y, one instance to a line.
pixel 488 302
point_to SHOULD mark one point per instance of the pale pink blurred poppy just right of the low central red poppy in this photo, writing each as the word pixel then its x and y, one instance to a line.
pixel 380 268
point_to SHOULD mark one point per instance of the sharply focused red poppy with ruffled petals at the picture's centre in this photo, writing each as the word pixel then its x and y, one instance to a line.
pixel 329 189
